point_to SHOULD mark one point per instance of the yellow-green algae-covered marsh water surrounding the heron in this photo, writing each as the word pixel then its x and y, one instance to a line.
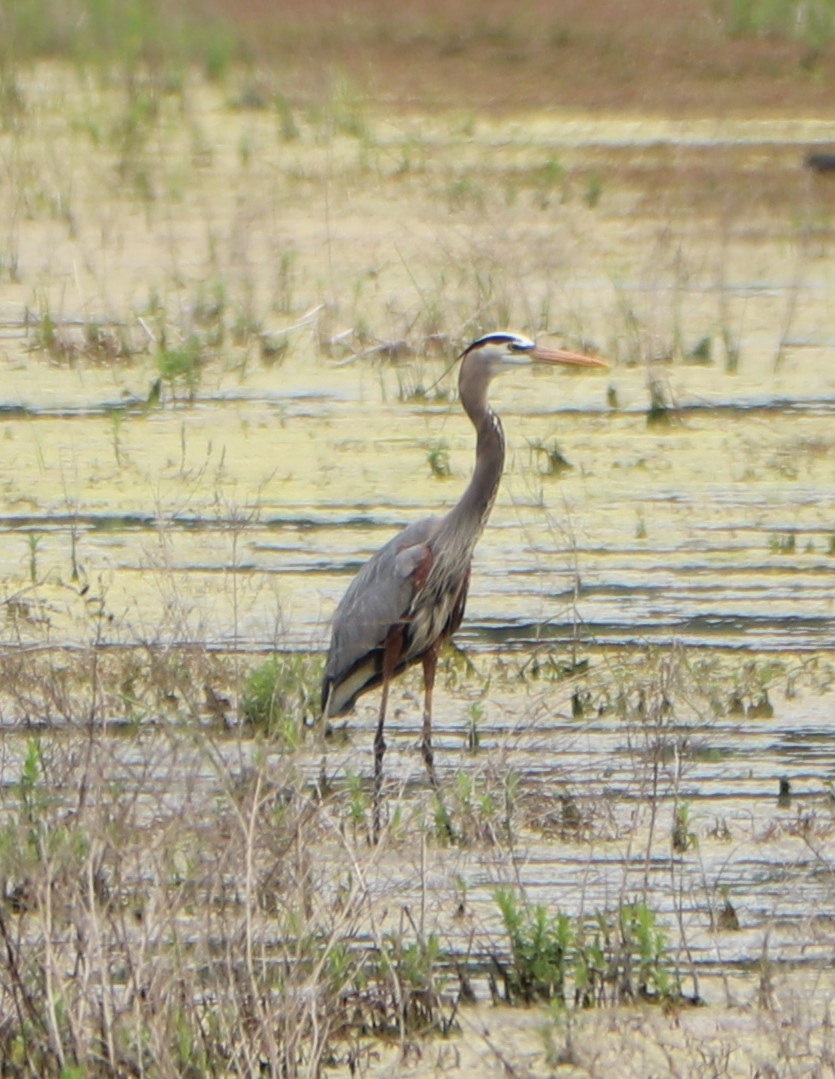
pixel 652 618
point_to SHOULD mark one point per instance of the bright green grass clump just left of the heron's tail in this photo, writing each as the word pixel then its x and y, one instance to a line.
pixel 281 693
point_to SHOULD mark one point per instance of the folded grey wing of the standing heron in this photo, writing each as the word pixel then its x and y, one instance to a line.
pixel 377 600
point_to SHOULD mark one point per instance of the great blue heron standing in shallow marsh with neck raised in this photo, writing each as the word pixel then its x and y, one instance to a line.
pixel 410 596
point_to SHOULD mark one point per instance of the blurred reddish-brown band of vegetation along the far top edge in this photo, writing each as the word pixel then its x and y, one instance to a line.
pixel 646 56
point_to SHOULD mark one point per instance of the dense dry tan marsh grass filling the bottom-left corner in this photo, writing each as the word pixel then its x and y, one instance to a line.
pixel 179 938
